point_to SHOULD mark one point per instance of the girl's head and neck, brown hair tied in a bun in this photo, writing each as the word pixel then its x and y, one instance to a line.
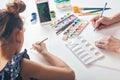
pixel 11 25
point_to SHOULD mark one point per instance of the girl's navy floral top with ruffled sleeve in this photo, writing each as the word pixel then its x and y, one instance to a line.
pixel 13 67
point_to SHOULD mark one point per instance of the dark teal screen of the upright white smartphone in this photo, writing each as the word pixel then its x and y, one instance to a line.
pixel 43 11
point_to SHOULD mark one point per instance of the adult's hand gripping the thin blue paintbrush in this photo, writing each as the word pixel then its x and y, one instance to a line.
pixel 101 22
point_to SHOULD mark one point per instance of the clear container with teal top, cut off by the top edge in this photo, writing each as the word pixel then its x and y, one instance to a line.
pixel 63 4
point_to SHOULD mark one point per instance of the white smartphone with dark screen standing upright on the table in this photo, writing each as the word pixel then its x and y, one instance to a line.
pixel 43 11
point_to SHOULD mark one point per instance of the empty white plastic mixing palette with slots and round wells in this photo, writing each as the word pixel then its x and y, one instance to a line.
pixel 83 50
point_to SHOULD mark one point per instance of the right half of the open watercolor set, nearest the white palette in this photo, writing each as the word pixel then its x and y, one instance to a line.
pixel 74 29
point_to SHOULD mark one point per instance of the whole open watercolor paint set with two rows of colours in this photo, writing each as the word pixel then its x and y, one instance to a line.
pixel 69 25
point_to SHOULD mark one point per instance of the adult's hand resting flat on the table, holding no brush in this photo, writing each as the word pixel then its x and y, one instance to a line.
pixel 109 43
